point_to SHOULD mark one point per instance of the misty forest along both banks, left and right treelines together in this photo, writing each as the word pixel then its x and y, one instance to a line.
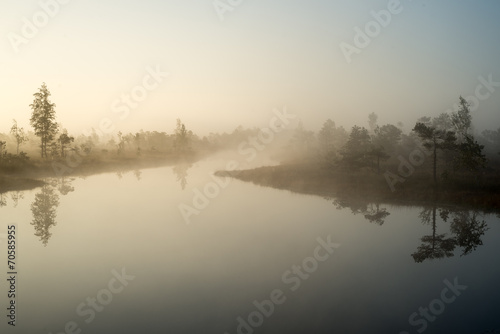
pixel 447 146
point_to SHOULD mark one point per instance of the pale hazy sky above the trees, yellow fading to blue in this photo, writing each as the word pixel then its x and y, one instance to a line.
pixel 263 55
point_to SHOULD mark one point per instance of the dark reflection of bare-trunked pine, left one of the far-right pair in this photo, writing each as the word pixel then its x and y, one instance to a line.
pixel 433 246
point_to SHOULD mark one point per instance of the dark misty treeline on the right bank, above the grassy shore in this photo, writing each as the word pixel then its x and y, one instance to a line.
pixel 446 147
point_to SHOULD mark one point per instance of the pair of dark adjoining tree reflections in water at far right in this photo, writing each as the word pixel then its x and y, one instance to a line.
pixel 465 227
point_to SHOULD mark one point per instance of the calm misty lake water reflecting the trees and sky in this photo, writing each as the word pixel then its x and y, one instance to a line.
pixel 121 259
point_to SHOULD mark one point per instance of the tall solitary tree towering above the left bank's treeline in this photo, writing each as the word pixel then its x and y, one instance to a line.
pixel 43 118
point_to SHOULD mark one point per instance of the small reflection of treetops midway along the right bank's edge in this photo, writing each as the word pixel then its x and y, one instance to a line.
pixel 371 211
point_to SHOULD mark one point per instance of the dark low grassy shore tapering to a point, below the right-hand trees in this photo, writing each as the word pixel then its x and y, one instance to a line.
pixel 418 189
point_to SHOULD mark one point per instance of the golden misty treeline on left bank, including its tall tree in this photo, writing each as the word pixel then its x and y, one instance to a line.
pixel 48 141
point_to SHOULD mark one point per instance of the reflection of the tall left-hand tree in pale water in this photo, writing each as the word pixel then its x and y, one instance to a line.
pixel 44 209
